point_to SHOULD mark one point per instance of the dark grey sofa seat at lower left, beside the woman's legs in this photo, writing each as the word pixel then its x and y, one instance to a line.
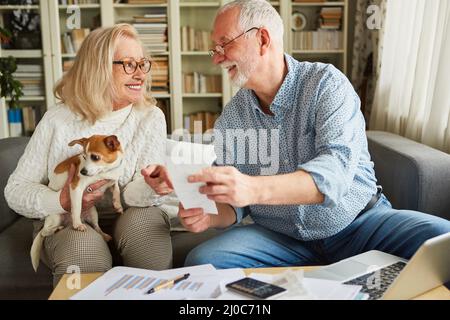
pixel 17 277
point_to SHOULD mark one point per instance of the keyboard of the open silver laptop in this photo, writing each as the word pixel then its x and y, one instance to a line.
pixel 377 282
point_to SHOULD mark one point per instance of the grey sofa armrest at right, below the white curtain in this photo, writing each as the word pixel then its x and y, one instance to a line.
pixel 414 176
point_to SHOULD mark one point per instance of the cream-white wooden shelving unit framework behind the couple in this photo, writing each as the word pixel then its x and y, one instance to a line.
pixel 198 14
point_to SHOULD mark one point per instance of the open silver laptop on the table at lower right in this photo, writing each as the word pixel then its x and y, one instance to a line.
pixel 385 276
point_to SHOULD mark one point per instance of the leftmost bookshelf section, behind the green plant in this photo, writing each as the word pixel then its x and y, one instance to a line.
pixel 32 57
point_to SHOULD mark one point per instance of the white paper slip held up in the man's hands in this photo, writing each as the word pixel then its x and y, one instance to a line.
pixel 188 193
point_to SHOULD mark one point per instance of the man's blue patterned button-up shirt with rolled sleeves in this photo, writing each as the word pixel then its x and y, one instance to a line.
pixel 317 127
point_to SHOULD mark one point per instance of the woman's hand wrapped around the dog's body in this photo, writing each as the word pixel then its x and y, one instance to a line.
pixel 89 198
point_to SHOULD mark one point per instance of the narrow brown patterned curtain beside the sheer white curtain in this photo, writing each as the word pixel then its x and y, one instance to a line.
pixel 366 49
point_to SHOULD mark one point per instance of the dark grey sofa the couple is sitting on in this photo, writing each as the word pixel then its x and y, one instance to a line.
pixel 413 176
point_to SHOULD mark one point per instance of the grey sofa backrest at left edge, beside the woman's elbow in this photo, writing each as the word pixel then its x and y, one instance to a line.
pixel 11 150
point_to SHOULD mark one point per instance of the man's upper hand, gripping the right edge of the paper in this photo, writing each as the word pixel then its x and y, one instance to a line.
pixel 227 185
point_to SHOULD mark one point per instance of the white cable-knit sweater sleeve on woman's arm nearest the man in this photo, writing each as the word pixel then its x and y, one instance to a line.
pixel 152 131
